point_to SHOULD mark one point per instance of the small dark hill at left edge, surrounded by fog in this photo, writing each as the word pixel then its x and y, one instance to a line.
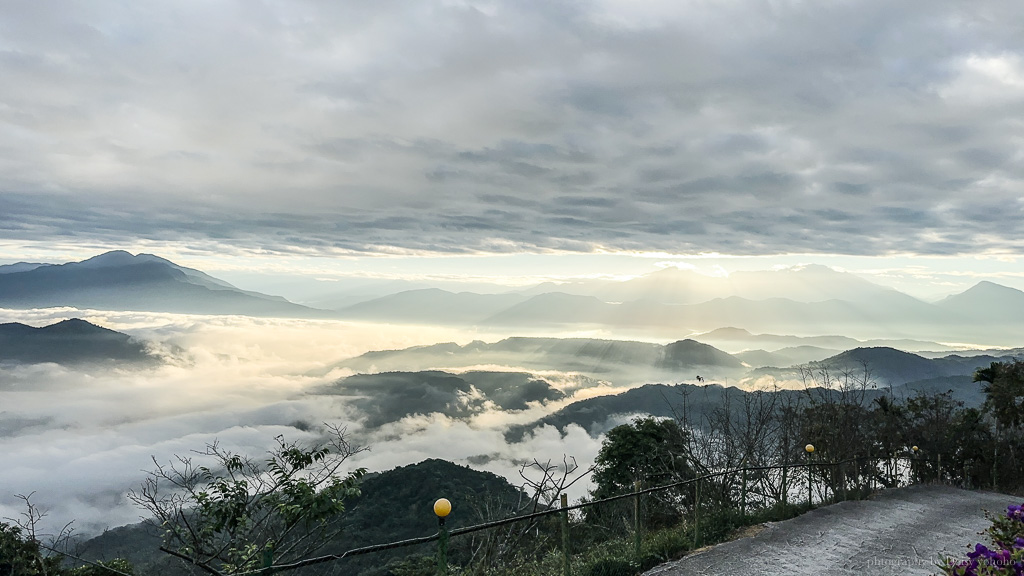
pixel 71 342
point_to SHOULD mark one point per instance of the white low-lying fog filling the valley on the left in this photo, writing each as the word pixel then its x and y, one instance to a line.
pixel 79 439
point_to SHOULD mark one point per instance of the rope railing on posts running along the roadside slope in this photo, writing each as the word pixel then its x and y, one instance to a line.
pixel 444 534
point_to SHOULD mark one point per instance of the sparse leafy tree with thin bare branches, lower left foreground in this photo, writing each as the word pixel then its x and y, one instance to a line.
pixel 230 516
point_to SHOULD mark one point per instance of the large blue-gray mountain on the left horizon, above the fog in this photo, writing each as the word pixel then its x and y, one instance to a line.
pixel 119 280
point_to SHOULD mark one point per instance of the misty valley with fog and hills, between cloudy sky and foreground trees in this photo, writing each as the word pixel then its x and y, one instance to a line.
pixel 170 357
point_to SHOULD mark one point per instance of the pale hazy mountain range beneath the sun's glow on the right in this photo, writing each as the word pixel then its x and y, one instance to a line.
pixel 868 312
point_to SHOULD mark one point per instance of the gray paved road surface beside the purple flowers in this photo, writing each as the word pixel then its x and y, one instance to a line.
pixel 899 532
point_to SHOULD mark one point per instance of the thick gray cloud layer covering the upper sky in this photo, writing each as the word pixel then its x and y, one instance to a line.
pixel 743 128
